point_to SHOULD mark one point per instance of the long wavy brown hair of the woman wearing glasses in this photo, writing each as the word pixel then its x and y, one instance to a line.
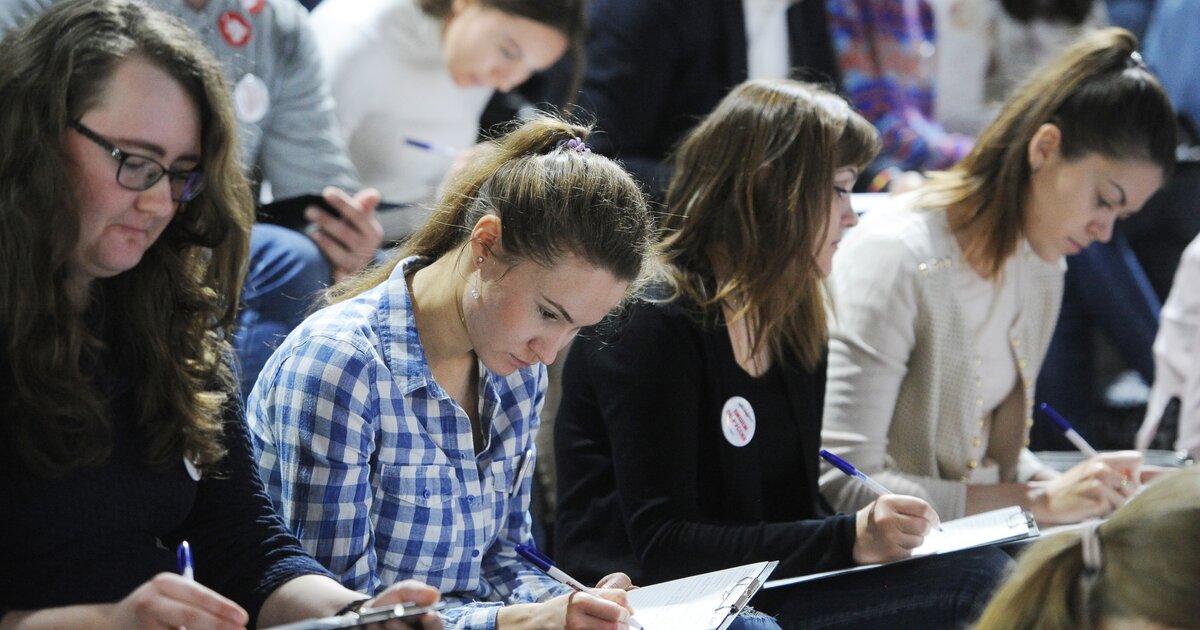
pixel 160 327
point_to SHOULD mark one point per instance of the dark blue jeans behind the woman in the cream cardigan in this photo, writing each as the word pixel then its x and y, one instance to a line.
pixel 1106 292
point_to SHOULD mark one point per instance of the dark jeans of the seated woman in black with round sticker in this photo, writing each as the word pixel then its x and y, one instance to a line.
pixel 947 591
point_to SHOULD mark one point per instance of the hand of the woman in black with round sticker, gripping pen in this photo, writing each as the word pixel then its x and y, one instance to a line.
pixel 891 527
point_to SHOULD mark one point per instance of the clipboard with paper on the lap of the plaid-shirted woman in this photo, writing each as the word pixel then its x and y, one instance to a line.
pixel 705 602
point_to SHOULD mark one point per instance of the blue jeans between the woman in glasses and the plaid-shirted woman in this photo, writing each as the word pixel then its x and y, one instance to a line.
pixel 286 275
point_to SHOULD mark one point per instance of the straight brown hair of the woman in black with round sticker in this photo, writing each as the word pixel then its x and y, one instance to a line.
pixel 755 181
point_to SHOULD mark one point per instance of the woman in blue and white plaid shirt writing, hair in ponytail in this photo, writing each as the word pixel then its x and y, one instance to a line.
pixel 394 429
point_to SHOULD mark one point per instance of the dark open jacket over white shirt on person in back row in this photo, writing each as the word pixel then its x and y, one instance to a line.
pixel 656 68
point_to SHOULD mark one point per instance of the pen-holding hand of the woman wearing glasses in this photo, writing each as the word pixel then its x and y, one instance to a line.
pixel 170 602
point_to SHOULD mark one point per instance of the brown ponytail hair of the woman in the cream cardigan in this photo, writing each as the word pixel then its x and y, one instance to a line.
pixel 1103 100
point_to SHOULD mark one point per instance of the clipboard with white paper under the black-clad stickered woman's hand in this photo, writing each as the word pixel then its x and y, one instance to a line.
pixel 995 527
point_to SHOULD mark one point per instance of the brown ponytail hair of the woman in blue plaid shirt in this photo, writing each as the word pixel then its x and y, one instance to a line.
pixel 553 201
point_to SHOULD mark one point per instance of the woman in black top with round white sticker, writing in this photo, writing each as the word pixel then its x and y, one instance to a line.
pixel 687 442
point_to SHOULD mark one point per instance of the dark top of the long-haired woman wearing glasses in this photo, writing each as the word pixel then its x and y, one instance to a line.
pixel 97 535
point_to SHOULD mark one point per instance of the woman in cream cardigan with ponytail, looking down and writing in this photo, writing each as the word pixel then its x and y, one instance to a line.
pixel 945 304
